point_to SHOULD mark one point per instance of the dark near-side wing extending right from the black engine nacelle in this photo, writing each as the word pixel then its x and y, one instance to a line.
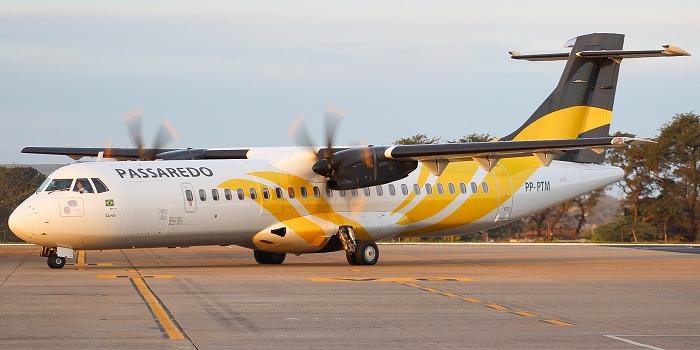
pixel 488 153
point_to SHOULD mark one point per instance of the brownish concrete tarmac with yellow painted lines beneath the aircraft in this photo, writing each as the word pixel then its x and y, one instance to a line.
pixel 417 297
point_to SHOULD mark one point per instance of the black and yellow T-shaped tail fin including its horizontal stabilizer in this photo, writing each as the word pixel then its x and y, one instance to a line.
pixel 581 104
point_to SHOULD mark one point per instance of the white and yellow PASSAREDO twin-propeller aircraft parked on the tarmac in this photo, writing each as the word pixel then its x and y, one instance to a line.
pixel 303 200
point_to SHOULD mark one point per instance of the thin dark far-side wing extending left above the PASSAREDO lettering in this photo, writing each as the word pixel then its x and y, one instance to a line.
pixel 136 153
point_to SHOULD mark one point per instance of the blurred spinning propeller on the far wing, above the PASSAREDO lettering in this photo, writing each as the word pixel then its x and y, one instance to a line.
pixel 166 133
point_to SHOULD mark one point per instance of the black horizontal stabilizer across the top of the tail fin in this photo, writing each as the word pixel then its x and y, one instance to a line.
pixel 667 51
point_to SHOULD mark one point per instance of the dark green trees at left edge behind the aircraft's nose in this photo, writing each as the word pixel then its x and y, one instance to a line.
pixel 16 184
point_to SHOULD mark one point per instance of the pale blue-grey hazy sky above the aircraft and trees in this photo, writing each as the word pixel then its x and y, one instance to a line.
pixel 238 73
